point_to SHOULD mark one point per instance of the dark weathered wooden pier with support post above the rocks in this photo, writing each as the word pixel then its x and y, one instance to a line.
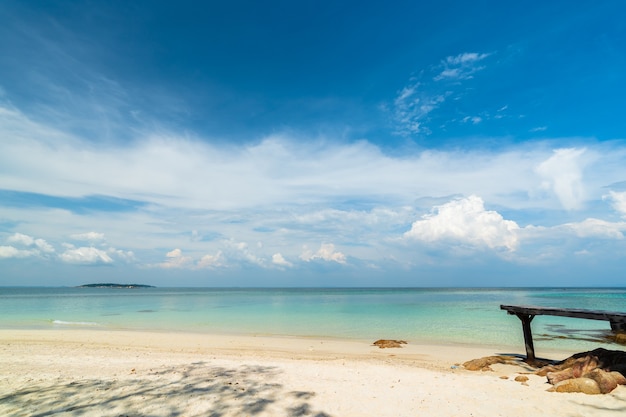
pixel 527 313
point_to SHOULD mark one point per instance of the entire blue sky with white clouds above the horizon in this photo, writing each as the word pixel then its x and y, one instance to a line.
pixel 313 143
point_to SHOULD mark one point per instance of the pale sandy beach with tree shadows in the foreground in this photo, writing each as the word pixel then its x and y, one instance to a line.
pixel 121 373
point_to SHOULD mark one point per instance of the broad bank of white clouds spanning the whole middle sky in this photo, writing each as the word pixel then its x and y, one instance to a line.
pixel 285 204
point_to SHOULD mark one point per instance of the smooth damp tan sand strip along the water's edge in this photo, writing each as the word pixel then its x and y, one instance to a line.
pixel 267 345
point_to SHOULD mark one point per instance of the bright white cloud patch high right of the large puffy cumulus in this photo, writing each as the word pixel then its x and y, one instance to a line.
pixel 563 174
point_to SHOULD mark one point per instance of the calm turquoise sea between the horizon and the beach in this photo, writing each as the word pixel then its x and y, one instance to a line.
pixel 419 315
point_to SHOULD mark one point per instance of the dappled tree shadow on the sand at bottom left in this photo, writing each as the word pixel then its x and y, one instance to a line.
pixel 194 390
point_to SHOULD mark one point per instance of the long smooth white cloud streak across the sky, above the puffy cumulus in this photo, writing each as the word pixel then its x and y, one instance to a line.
pixel 177 172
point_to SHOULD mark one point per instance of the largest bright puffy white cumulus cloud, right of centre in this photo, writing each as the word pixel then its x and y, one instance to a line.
pixel 465 221
